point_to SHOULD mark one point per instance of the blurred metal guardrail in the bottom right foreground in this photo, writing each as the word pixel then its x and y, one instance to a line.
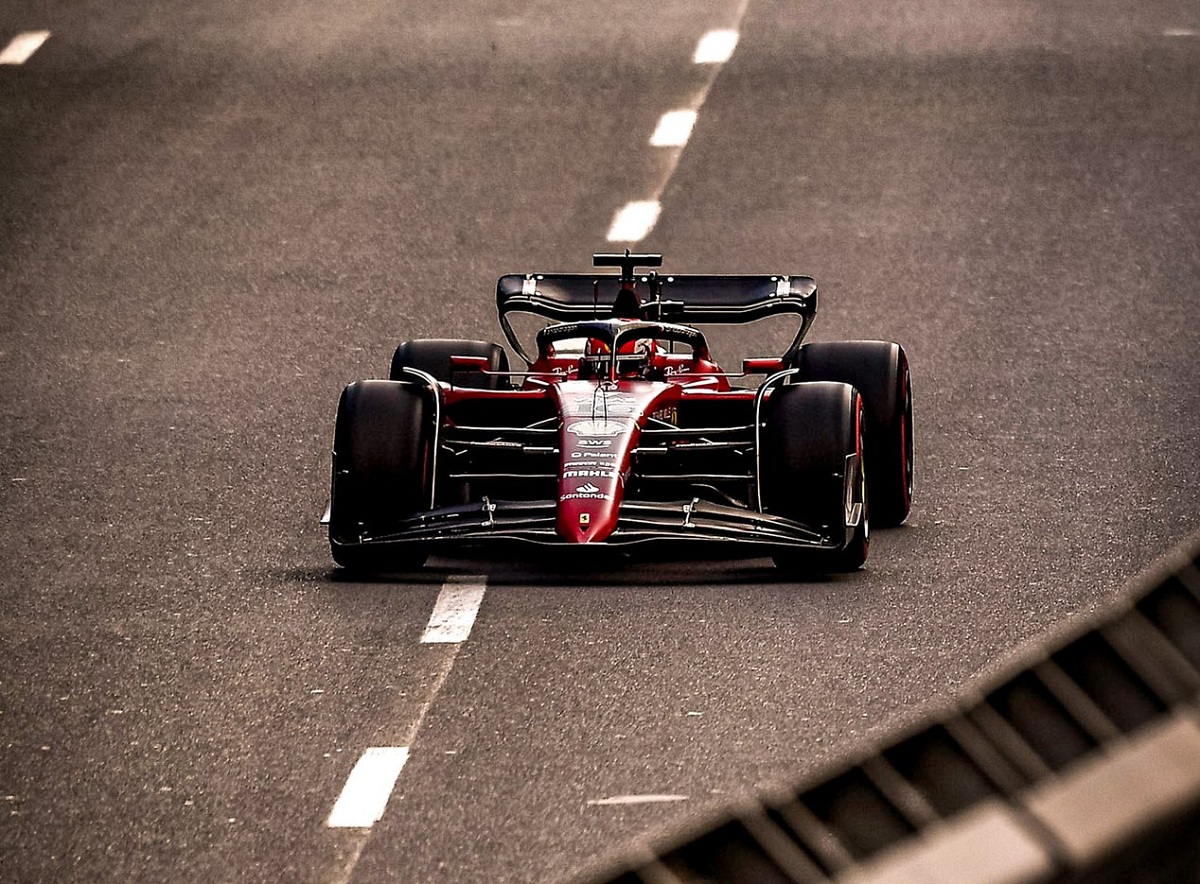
pixel 1081 763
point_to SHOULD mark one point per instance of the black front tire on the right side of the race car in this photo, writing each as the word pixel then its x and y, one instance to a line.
pixel 813 435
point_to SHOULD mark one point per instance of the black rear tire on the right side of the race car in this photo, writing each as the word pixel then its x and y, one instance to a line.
pixel 880 372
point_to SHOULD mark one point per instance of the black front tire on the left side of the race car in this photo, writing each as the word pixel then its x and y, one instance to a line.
pixel 381 471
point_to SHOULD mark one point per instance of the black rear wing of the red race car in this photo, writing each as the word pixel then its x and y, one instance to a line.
pixel 680 298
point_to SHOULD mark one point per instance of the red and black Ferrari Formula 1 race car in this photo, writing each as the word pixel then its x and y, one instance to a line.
pixel 623 434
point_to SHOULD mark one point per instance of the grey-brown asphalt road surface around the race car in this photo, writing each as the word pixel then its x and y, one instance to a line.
pixel 214 215
